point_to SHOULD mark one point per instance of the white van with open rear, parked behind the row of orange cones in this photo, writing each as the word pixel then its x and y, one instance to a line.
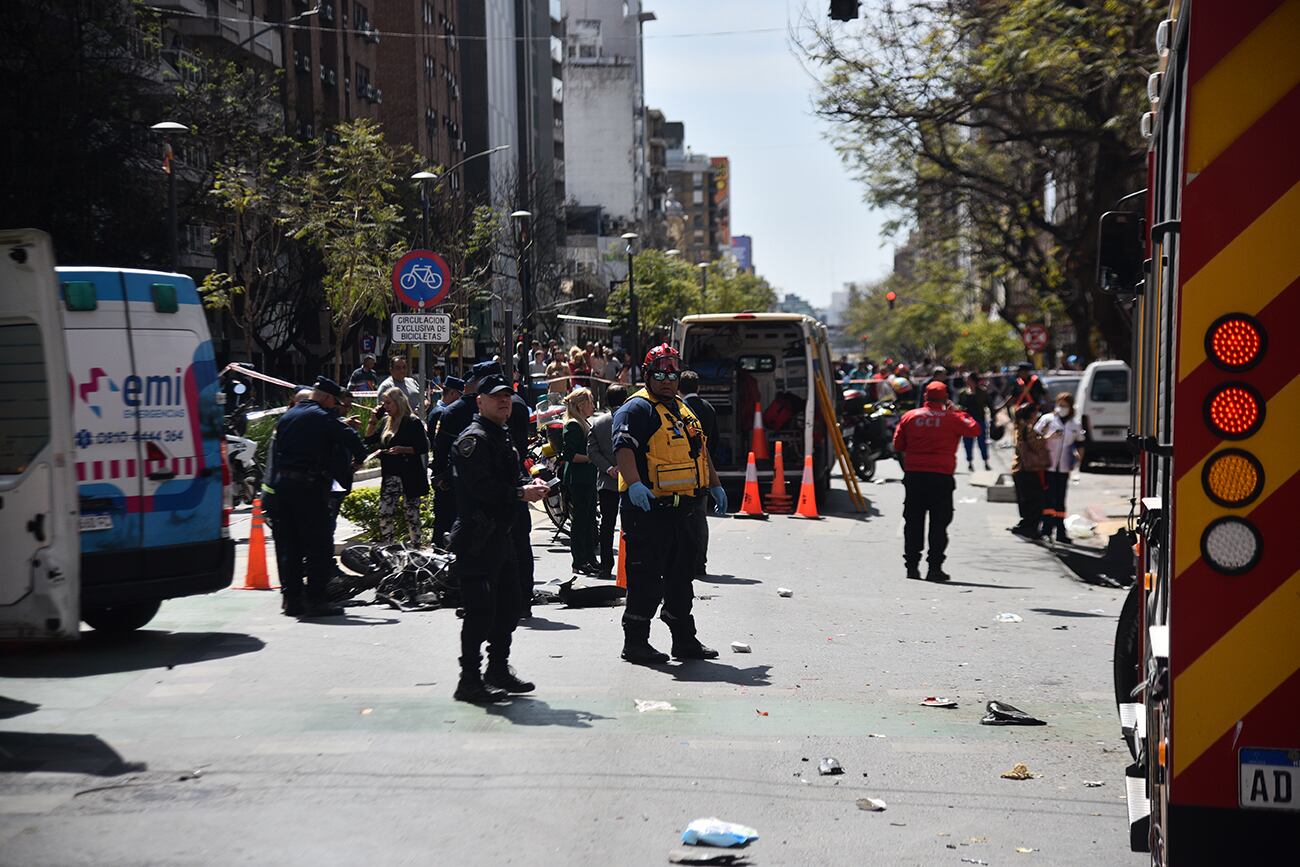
pixel 765 359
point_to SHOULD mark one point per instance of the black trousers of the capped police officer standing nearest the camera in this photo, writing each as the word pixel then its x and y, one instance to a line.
pixel 489 593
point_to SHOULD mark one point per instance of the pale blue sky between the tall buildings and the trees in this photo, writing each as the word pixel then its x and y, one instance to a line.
pixel 746 96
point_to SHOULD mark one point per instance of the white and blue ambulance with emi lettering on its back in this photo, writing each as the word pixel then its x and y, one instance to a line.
pixel 109 384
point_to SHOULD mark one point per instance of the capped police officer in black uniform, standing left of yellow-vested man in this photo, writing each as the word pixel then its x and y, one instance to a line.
pixel 489 488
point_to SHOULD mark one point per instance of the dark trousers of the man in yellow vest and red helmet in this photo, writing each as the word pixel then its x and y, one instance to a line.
pixel 662 550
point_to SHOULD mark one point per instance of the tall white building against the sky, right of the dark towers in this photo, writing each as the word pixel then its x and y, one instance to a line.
pixel 605 122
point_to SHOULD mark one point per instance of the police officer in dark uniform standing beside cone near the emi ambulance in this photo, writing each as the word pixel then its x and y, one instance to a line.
pixel 302 463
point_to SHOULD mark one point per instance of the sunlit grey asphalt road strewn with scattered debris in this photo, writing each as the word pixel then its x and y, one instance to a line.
pixel 229 735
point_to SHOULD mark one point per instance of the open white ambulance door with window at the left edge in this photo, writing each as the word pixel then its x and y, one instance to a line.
pixel 40 583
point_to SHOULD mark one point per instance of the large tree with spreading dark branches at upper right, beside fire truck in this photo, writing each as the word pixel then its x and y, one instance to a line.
pixel 1009 123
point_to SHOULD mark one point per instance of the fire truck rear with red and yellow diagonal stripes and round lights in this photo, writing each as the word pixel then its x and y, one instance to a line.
pixel 1208 652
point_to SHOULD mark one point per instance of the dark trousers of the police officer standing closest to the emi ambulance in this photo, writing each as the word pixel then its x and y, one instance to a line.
pixel 305 540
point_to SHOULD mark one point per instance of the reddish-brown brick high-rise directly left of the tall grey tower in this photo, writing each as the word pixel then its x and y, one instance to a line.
pixel 422 73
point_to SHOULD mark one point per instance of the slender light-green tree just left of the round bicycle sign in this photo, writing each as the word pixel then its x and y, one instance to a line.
pixel 350 211
